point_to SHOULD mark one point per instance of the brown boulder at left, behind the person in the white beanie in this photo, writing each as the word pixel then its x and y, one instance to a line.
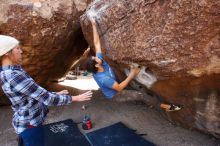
pixel 49 31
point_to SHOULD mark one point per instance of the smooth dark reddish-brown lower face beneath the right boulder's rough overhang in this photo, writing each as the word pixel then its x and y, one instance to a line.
pixel 200 98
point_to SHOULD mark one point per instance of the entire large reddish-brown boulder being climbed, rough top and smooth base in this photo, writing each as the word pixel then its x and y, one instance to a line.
pixel 178 42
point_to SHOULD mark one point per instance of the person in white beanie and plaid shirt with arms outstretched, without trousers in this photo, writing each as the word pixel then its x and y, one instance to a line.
pixel 29 100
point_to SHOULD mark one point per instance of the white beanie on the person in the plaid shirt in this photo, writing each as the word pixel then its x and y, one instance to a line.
pixel 7 43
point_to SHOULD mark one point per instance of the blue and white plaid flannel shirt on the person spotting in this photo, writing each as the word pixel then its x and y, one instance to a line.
pixel 29 100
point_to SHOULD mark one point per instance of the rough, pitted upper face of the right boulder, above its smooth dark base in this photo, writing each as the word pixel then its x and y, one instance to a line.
pixel 180 37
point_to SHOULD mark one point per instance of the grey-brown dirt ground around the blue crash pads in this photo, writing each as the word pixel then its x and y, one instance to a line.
pixel 104 112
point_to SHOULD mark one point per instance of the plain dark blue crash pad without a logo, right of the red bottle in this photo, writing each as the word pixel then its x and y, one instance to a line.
pixel 116 135
